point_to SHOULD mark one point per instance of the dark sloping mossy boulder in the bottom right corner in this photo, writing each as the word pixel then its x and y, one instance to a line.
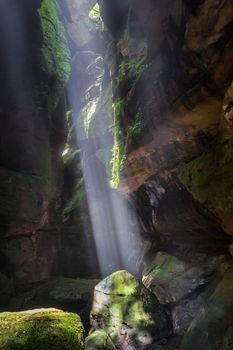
pixel 213 327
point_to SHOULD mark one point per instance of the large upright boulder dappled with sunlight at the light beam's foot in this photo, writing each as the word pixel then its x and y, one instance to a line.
pixel 127 311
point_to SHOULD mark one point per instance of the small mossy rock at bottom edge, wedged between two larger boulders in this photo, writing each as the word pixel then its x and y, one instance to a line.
pixel 99 340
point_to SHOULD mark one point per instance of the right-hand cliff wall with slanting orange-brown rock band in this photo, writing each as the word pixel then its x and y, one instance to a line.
pixel 172 88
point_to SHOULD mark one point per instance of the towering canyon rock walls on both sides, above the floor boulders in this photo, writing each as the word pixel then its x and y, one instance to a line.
pixel 148 91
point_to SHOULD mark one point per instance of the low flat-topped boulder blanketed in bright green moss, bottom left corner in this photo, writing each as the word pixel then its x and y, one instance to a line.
pixel 41 329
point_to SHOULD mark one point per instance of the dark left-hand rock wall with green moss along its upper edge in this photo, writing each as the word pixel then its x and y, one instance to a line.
pixel 34 71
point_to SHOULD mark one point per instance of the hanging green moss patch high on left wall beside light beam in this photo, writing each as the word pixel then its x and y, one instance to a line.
pixel 55 53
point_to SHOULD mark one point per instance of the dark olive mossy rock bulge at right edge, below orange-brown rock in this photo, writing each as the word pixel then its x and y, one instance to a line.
pixel 209 177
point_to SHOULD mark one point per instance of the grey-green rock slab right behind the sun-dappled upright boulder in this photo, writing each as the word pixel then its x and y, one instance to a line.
pixel 171 278
